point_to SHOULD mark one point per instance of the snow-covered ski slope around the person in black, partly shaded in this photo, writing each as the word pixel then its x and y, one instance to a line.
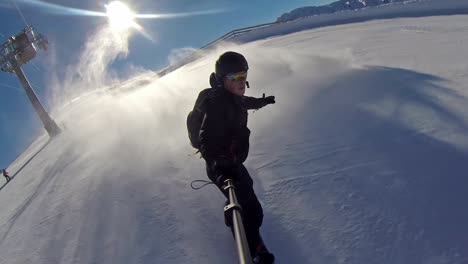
pixel 363 158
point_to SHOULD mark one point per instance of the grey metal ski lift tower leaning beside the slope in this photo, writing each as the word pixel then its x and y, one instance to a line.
pixel 17 51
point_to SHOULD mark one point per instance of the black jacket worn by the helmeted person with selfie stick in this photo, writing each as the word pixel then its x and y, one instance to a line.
pixel 224 132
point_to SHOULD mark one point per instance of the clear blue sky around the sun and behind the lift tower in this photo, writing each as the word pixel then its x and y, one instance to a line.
pixel 67 35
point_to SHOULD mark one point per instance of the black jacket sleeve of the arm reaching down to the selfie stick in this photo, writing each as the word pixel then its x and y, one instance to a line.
pixel 213 130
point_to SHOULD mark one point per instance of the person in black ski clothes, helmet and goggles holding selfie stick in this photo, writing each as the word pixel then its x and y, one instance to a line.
pixel 218 128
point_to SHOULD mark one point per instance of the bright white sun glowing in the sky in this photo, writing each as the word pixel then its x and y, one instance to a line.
pixel 120 16
